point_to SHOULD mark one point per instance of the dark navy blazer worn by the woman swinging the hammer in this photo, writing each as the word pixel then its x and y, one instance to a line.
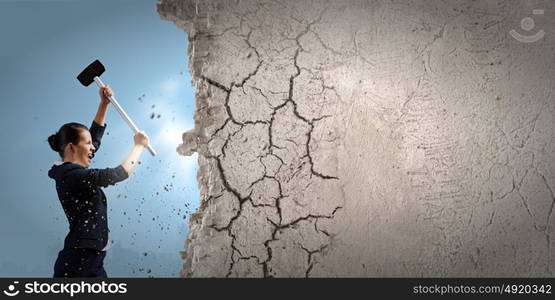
pixel 83 201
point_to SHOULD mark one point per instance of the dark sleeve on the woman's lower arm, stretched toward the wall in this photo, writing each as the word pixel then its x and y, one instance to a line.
pixel 97 177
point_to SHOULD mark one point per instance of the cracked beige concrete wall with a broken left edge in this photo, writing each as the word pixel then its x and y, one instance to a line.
pixel 370 138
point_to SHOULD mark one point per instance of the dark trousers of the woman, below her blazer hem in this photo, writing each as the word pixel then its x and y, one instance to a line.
pixel 80 262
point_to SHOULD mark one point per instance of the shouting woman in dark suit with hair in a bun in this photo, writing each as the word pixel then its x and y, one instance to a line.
pixel 80 193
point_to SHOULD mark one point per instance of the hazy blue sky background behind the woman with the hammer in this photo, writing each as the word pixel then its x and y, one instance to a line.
pixel 45 44
